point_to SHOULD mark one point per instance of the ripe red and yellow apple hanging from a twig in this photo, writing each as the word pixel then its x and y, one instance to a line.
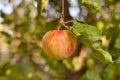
pixel 59 44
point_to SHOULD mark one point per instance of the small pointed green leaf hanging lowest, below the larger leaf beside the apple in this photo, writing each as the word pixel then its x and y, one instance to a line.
pixel 103 55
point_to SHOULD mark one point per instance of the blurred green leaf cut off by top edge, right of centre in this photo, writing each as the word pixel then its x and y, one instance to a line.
pixel 92 4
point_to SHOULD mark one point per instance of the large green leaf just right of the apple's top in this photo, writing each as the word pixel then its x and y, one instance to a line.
pixel 87 34
